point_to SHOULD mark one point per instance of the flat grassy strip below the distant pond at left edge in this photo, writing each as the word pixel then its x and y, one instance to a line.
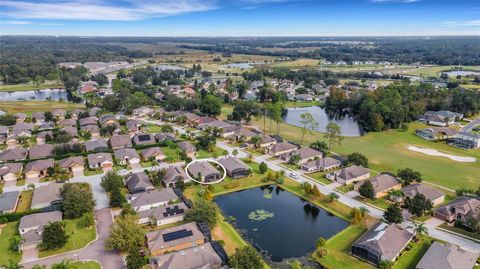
pixel 30 107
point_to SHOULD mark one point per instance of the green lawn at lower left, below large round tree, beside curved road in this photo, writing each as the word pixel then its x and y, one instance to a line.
pixel 79 238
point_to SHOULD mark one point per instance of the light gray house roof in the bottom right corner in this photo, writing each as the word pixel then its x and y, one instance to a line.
pixel 447 256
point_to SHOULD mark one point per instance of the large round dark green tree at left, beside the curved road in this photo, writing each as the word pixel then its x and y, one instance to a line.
pixel 77 199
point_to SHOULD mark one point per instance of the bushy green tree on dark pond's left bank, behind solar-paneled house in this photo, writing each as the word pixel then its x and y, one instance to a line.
pixel 203 211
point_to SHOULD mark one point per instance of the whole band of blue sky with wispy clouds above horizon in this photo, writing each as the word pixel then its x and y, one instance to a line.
pixel 240 17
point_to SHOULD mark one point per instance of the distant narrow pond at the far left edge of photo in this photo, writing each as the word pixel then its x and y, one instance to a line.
pixel 39 95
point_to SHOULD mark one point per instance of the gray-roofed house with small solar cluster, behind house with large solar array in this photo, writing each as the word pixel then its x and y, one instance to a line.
pixel 163 214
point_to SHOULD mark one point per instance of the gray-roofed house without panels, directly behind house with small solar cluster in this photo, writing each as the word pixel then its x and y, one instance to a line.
pixel 147 200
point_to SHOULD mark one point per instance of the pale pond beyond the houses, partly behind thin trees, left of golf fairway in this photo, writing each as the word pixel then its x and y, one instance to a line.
pixel 348 125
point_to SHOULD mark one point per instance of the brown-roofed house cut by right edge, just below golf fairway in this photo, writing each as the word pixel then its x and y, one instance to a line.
pixel 460 209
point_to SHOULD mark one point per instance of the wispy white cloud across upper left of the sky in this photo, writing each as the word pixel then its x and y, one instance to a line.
pixel 102 10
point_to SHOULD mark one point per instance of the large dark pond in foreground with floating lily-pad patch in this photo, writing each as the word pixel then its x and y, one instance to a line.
pixel 292 230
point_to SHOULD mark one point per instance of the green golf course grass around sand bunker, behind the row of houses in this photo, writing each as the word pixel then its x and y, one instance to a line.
pixel 387 152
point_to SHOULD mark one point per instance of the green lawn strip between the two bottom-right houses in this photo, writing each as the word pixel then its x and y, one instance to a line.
pixel 408 259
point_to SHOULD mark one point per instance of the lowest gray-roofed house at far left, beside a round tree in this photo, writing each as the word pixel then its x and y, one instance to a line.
pixel 31 227
